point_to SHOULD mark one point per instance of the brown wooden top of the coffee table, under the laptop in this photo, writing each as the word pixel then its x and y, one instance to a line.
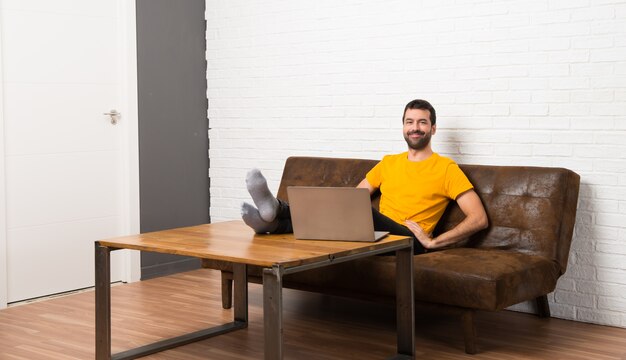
pixel 235 242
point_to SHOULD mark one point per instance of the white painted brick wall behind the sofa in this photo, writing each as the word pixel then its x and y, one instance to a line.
pixel 514 82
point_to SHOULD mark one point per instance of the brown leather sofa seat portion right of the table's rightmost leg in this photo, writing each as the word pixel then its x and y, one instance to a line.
pixel 483 279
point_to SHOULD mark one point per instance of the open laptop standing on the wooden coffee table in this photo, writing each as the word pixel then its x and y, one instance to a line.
pixel 332 213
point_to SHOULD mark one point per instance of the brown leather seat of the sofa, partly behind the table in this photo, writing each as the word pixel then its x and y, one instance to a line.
pixel 465 277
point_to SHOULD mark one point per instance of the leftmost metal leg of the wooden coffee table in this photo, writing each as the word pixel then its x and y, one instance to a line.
pixel 103 302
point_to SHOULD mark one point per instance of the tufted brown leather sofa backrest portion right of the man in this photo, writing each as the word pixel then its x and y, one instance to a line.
pixel 530 209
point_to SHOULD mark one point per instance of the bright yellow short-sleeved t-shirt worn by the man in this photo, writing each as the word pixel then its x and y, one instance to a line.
pixel 418 191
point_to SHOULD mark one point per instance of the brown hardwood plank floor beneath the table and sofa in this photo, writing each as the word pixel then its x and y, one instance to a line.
pixel 316 327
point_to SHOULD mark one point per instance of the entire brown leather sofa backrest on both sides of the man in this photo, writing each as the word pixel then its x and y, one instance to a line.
pixel 530 209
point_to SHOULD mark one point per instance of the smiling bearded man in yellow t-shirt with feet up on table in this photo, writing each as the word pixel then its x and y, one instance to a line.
pixel 415 186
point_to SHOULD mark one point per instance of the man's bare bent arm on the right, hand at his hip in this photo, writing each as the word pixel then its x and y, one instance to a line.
pixel 475 220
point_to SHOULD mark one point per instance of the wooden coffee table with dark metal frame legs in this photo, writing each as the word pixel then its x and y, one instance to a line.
pixel 279 255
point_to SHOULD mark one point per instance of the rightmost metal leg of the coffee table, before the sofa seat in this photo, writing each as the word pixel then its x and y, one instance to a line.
pixel 405 311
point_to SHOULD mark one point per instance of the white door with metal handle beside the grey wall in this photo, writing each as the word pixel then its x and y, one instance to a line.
pixel 70 175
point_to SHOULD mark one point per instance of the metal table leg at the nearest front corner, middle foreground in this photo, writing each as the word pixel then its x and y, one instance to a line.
pixel 273 312
